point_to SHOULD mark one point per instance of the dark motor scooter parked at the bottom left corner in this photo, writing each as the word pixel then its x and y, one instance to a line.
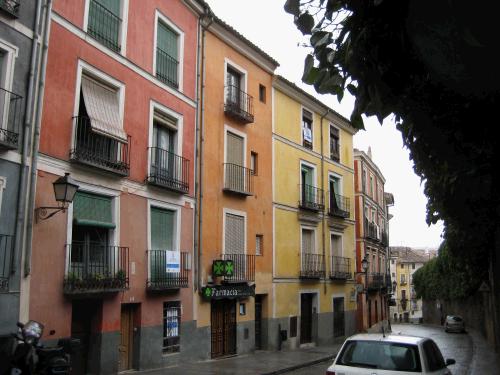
pixel 30 357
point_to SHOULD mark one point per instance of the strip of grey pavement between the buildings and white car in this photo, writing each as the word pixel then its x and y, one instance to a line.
pixel 260 362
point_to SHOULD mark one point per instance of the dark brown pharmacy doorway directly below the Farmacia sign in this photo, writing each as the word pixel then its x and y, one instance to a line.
pixel 223 326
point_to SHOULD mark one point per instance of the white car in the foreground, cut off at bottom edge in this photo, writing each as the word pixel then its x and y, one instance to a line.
pixel 379 354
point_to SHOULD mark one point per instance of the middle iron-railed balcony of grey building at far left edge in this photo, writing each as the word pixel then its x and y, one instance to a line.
pixel 10 117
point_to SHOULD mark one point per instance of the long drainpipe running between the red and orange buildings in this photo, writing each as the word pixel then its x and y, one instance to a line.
pixel 199 151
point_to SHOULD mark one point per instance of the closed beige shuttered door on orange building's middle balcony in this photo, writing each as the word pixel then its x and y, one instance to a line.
pixel 235 162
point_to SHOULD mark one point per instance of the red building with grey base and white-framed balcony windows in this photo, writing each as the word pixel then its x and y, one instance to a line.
pixel 119 115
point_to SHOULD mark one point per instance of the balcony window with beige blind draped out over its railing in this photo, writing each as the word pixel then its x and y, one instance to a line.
pixel 99 139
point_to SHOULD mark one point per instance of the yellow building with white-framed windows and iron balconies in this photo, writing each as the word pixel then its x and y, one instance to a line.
pixel 314 294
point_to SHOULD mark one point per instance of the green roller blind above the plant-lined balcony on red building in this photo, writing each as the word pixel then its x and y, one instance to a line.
pixel 94 210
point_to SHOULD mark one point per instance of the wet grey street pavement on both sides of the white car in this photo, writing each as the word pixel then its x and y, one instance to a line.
pixel 472 354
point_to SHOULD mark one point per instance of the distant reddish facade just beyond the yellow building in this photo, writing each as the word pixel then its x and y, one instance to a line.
pixel 372 242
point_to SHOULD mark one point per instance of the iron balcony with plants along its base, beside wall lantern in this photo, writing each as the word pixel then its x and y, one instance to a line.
pixel 94 268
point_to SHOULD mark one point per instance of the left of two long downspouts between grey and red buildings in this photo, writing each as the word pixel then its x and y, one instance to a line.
pixel 28 121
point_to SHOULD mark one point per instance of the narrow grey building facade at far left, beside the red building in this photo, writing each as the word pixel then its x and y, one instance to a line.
pixel 21 37
